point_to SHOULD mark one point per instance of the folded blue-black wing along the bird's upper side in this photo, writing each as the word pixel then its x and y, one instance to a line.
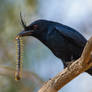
pixel 72 35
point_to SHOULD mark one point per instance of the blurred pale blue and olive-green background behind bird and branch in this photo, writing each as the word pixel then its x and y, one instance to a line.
pixel 39 63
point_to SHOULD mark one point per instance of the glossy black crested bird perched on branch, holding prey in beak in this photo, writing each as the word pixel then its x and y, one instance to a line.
pixel 65 42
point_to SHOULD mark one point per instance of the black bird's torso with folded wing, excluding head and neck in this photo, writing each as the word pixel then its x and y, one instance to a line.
pixel 66 43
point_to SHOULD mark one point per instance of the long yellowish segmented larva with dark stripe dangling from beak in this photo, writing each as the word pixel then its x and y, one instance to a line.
pixel 19 49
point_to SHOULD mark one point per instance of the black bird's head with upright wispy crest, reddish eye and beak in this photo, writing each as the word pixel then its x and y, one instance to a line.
pixel 34 29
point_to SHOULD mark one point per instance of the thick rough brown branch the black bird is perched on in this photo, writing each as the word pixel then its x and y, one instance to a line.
pixel 80 65
